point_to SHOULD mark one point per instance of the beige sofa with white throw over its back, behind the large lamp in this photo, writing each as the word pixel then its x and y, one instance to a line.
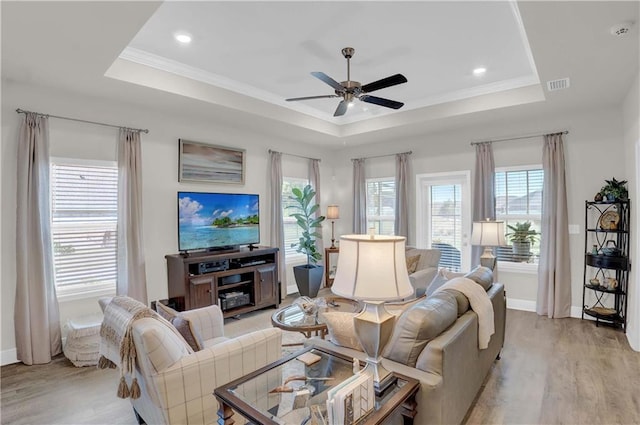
pixel 451 368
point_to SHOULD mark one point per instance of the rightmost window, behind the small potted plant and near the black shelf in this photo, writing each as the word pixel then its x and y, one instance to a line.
pixel 518 200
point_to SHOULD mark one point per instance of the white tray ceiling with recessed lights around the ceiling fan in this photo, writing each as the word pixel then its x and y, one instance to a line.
pixel 247 57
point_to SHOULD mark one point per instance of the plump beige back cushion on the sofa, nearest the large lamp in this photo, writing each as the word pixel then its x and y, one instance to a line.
pixel 419 325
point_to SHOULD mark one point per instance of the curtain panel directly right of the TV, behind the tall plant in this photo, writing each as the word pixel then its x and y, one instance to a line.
pixel 276 225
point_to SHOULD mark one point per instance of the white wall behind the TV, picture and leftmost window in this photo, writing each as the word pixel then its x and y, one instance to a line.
pixel 160 171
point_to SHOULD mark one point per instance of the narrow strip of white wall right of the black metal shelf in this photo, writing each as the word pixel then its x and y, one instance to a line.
pixel 631 125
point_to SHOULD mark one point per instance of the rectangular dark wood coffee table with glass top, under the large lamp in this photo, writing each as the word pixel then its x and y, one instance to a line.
pixel 290 392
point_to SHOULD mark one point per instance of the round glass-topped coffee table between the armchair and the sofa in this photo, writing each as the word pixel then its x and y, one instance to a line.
pixel 292 318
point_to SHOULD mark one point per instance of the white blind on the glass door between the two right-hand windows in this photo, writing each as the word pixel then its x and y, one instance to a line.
pixel 446 224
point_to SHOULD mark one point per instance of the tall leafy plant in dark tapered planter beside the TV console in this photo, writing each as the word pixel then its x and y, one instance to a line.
pixel 308 276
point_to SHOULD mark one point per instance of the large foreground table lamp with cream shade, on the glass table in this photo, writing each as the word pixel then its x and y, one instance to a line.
pixel 373 269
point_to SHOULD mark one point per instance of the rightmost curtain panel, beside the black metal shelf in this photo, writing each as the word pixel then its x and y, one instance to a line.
pixel 554 270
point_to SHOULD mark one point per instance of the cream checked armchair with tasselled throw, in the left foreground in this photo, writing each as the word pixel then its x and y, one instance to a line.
pixel 176 382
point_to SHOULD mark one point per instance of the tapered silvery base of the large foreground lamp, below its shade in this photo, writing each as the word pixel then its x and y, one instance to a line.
pixel 374 326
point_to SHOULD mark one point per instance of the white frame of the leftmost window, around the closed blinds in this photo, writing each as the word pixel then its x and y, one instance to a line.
pixel 84 290
